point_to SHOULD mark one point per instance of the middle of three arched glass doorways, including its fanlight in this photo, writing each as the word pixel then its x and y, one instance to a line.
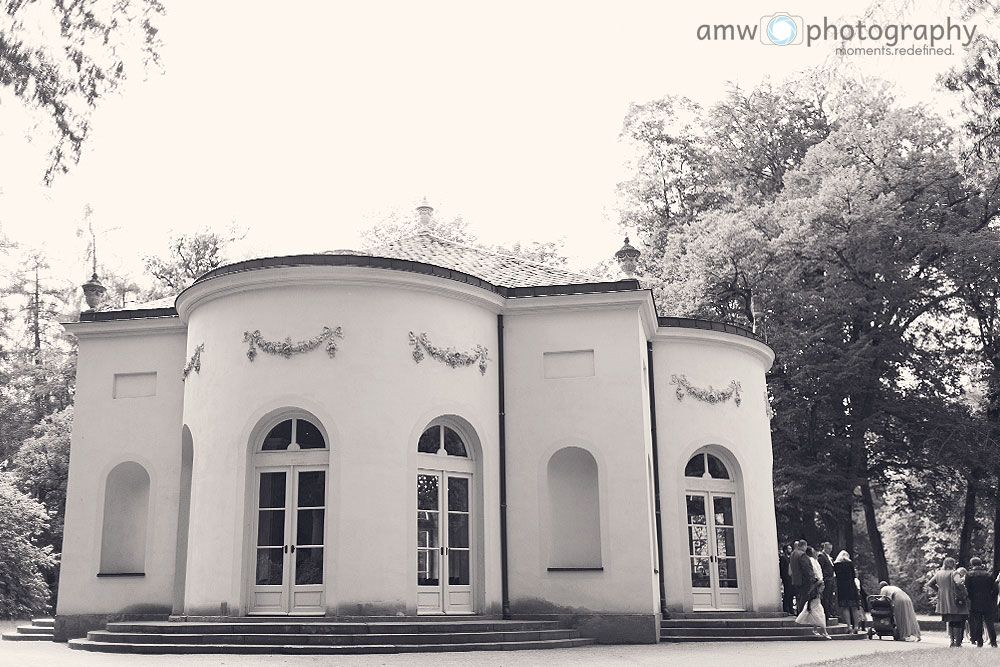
pixel 445 521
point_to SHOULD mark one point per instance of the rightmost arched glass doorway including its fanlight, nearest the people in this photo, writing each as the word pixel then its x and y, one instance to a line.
pixel 712 501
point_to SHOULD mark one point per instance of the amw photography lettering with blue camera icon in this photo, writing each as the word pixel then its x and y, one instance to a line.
pixel 851 38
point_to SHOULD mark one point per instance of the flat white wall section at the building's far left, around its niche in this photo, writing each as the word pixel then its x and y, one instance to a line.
pixel 108 431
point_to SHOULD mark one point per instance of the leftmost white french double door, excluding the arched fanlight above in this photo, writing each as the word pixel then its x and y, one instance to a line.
pixel 289 540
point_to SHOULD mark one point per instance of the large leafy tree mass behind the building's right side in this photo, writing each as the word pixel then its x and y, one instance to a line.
pixel 838 226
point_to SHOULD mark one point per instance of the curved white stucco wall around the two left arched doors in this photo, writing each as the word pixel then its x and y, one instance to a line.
pixel 373 399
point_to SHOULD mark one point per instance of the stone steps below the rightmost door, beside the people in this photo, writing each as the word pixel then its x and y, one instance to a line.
pixel 743 627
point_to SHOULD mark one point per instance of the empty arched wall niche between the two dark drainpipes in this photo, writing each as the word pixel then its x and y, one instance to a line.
pixel 575 509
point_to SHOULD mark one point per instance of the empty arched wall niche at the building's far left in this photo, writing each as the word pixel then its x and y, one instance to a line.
pixel 126 513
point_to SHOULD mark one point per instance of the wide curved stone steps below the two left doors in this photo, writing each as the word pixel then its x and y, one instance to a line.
pixel 268 635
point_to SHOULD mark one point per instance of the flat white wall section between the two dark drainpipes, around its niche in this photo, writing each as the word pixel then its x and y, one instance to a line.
pixel 602 413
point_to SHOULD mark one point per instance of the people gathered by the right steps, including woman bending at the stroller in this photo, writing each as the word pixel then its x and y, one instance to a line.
pixel 823 587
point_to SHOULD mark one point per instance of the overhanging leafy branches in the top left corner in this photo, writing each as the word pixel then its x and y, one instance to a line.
pixel 78 57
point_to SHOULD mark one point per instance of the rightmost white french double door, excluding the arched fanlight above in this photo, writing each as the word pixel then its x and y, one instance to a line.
pixel 711 523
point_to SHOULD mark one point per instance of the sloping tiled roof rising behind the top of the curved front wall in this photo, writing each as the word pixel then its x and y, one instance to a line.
pixel 499 269
